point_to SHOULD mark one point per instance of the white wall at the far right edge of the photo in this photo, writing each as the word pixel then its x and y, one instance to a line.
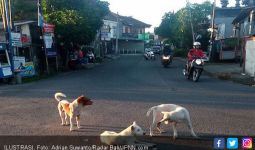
pixel 250 57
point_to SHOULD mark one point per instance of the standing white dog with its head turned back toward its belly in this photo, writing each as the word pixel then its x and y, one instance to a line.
pixel 170 113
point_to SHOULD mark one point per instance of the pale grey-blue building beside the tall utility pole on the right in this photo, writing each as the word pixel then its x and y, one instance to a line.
pixel 224 45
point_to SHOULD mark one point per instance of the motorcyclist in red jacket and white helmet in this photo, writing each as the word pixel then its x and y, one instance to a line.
pixel 193 53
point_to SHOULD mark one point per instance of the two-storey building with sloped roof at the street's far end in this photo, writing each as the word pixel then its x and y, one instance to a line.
pixel 127 34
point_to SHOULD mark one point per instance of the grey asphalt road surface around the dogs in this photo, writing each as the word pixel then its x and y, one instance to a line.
pixel 123 90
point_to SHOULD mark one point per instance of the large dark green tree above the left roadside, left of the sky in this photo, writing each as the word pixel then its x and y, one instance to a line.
pixel 77 21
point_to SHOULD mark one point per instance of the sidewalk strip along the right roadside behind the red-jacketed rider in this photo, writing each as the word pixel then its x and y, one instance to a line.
pixel 227 71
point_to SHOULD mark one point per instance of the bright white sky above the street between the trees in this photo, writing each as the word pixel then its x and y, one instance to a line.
pixel 151 11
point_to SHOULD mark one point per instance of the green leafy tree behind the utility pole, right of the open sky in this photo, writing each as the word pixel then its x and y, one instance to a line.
pixel 177 28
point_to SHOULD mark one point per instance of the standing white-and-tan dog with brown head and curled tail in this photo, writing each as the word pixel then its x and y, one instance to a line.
pixel 72 110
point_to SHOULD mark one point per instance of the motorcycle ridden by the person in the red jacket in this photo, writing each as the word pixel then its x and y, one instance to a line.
pixel 195 70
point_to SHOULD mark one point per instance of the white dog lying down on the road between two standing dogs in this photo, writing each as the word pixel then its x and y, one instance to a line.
pixel 125 137
